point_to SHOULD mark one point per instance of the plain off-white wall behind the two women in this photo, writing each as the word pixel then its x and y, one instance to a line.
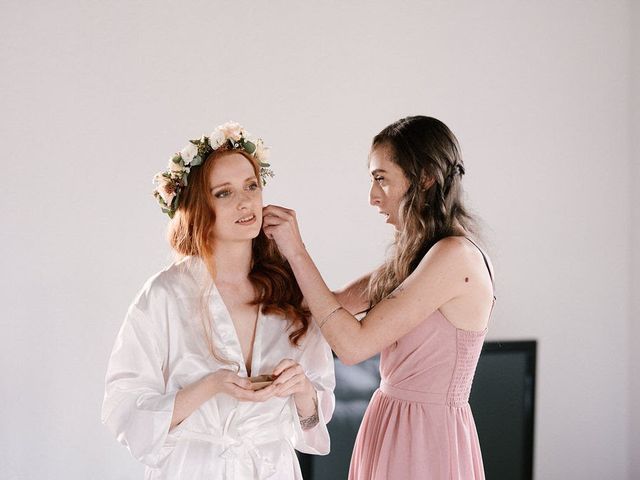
pixel 543 97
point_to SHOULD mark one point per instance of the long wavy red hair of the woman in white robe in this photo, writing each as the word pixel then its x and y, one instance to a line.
pixel 274 283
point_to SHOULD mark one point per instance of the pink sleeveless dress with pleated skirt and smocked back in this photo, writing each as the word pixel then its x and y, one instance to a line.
pixel 418 424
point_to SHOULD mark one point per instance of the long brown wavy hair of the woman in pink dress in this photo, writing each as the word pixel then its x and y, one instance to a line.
pixel 433 206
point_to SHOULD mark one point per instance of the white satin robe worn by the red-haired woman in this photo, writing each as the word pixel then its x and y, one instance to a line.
pixel 160 349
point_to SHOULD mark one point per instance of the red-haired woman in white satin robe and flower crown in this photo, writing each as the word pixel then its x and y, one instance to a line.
pixel 217 371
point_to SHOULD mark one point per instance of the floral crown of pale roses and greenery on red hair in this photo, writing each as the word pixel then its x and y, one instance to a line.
pixel 230 136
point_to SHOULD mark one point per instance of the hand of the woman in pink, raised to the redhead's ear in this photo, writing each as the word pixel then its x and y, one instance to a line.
pixel 281 225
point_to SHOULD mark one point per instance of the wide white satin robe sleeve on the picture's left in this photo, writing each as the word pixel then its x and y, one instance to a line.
pixel 136 407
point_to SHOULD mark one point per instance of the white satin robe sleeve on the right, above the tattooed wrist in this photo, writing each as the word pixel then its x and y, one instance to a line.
pixel 317 362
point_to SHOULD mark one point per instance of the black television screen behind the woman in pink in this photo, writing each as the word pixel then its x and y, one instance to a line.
pixel 502 401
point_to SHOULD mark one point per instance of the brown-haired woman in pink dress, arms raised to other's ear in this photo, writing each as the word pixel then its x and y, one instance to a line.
pixel 427 309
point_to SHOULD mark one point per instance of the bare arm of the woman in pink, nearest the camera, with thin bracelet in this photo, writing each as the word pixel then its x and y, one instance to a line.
pixel 440 277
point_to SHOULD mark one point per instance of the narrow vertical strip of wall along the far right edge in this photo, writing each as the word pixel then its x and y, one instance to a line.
pixel 634 181
